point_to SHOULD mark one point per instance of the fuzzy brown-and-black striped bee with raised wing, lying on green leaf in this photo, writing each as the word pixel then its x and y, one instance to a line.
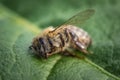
pixel 67 36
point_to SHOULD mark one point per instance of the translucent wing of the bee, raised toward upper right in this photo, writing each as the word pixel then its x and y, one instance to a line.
pixel 79 18
